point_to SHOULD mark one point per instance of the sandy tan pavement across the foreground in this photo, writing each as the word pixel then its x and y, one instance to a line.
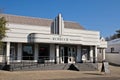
pixel 61 75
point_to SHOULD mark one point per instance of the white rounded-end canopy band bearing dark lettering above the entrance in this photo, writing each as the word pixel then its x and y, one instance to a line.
pixel 62 39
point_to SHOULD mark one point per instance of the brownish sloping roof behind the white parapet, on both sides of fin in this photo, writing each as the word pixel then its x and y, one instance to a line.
pixel 38 21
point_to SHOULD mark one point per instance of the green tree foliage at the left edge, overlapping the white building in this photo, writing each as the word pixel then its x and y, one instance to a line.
pixel 2 29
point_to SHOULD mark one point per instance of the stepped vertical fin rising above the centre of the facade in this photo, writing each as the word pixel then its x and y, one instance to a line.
pixel 58 25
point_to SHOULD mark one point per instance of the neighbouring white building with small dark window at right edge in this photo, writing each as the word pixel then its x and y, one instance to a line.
pixel 113 51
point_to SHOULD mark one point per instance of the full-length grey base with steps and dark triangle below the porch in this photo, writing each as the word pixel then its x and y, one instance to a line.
pixel 36 66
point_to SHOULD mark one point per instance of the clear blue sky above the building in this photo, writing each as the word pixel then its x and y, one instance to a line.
pixel 100 15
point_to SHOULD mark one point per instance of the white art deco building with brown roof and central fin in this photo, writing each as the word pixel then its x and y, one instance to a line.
pixel 39 40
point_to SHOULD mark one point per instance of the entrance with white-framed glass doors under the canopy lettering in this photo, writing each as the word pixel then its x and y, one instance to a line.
pixel 67 54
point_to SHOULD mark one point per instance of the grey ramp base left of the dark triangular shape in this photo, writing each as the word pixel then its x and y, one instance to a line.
pixel 40 67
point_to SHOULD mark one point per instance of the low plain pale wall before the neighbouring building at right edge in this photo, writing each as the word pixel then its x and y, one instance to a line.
pixel 113 58
